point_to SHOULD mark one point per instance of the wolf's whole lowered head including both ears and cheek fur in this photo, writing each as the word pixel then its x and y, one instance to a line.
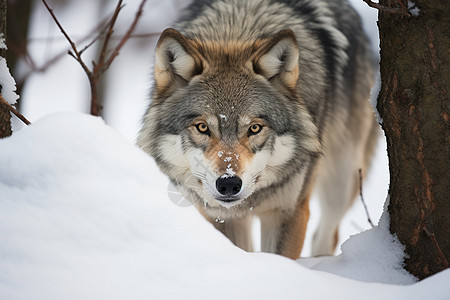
pixel 226 119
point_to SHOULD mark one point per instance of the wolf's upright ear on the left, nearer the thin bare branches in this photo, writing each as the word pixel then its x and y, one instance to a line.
pixel 176 62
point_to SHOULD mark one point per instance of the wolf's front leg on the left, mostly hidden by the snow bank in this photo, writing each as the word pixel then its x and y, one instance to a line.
pixel 238 230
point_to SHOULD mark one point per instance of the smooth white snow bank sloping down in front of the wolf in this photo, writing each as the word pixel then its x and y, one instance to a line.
pixel 85 215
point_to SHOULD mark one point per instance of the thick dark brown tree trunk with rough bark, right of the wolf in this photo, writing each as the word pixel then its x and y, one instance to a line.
pixel 415 107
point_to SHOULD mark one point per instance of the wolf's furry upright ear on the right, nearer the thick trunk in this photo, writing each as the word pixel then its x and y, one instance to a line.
pixel 277 58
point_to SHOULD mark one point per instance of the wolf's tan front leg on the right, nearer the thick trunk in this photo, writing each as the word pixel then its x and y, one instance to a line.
pixel 283 231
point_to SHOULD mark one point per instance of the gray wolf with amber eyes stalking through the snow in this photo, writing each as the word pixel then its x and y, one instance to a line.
pixel 255 105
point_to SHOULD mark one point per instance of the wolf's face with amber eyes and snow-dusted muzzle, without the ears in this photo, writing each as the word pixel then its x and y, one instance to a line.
pixel 229 136
